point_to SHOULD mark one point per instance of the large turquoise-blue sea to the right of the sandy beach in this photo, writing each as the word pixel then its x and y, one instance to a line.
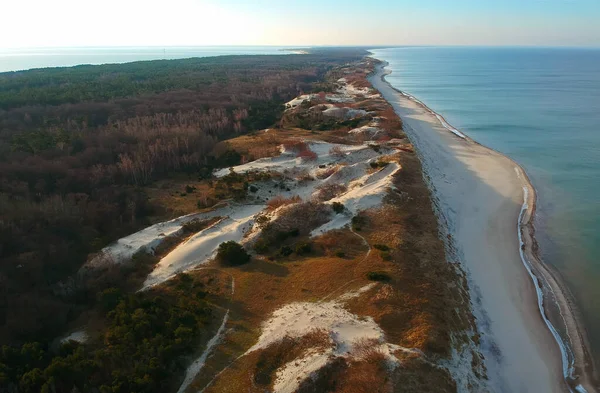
pixel 541 107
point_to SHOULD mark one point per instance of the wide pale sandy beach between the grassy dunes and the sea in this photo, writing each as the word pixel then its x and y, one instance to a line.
pixel 480 195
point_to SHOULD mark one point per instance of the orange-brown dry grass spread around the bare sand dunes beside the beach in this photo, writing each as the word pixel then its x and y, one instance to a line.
pixel 419 307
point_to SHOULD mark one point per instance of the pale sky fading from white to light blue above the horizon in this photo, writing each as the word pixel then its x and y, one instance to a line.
pixel 65 23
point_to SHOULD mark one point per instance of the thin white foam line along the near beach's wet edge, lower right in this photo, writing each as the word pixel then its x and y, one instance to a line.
pixel 567 368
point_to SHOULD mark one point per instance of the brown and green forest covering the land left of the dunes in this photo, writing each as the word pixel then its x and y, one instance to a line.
pixel 77 147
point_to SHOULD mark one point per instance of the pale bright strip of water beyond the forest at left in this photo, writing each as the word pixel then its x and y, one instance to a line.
pixel 22 59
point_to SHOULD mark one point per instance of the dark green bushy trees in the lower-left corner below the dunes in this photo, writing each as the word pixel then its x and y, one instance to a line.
pixel 142 350
